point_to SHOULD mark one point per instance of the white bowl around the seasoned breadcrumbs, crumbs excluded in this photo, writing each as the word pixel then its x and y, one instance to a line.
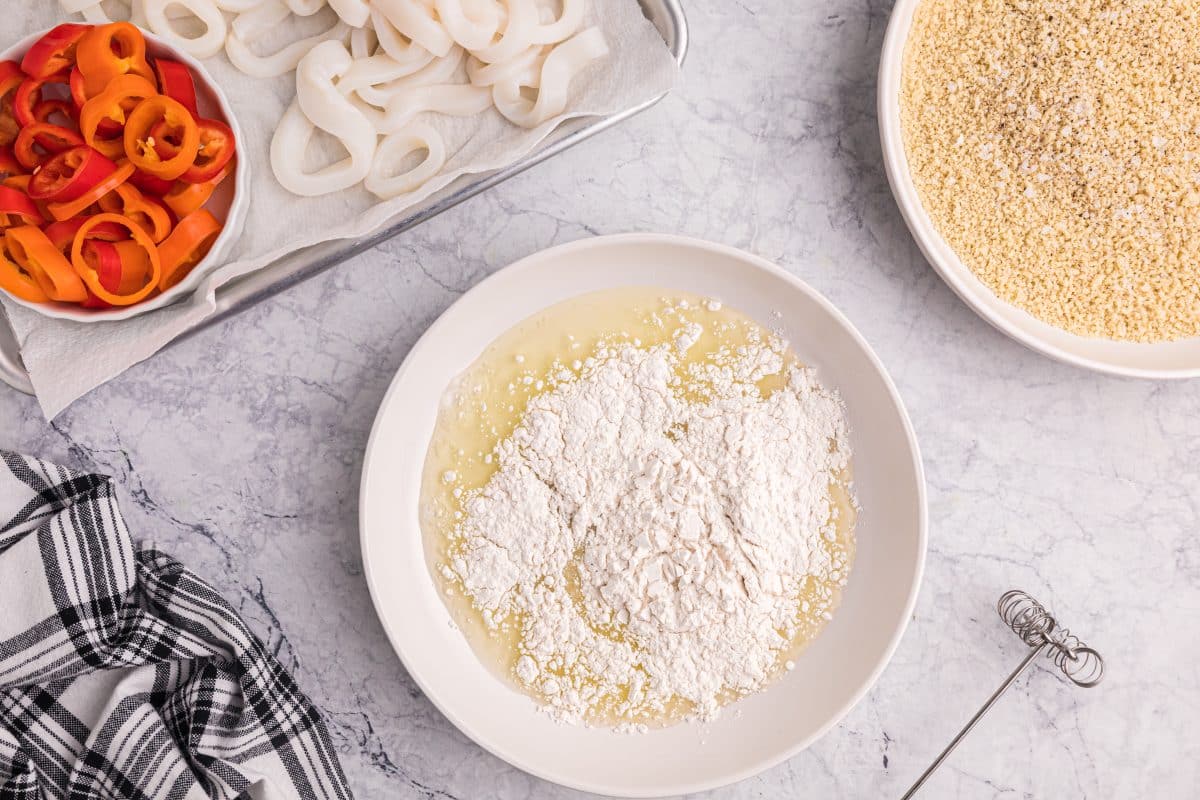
pixel 1180 359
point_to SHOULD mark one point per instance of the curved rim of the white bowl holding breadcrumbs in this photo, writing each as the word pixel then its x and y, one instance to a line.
pixel 939 252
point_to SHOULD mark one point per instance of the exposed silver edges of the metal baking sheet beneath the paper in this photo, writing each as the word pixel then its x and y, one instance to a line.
pixel 257 287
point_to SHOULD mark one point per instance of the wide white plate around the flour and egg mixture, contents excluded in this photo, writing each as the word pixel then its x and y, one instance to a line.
pixel 831 677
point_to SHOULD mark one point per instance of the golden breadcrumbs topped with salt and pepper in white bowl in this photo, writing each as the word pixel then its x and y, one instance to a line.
pixel 1057 147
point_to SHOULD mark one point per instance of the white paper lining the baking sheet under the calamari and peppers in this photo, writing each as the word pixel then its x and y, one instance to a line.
pixel 67 360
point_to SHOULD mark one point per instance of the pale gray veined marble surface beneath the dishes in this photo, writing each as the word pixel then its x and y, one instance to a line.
pixel 241 449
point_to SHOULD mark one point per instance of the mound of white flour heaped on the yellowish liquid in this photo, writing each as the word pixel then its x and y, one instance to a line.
pixel 650 549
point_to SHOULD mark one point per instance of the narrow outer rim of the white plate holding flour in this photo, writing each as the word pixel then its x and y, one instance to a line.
pixel 754 261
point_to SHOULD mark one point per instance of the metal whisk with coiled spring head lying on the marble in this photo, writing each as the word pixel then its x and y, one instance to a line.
pixel 1041 631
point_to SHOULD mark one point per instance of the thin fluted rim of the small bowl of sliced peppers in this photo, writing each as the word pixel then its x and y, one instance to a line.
pixel 232 226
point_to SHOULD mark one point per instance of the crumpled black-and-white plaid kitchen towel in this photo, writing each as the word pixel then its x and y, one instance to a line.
pixel 125 676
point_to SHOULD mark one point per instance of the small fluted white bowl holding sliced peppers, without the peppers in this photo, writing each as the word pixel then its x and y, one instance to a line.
pixel 229 203
